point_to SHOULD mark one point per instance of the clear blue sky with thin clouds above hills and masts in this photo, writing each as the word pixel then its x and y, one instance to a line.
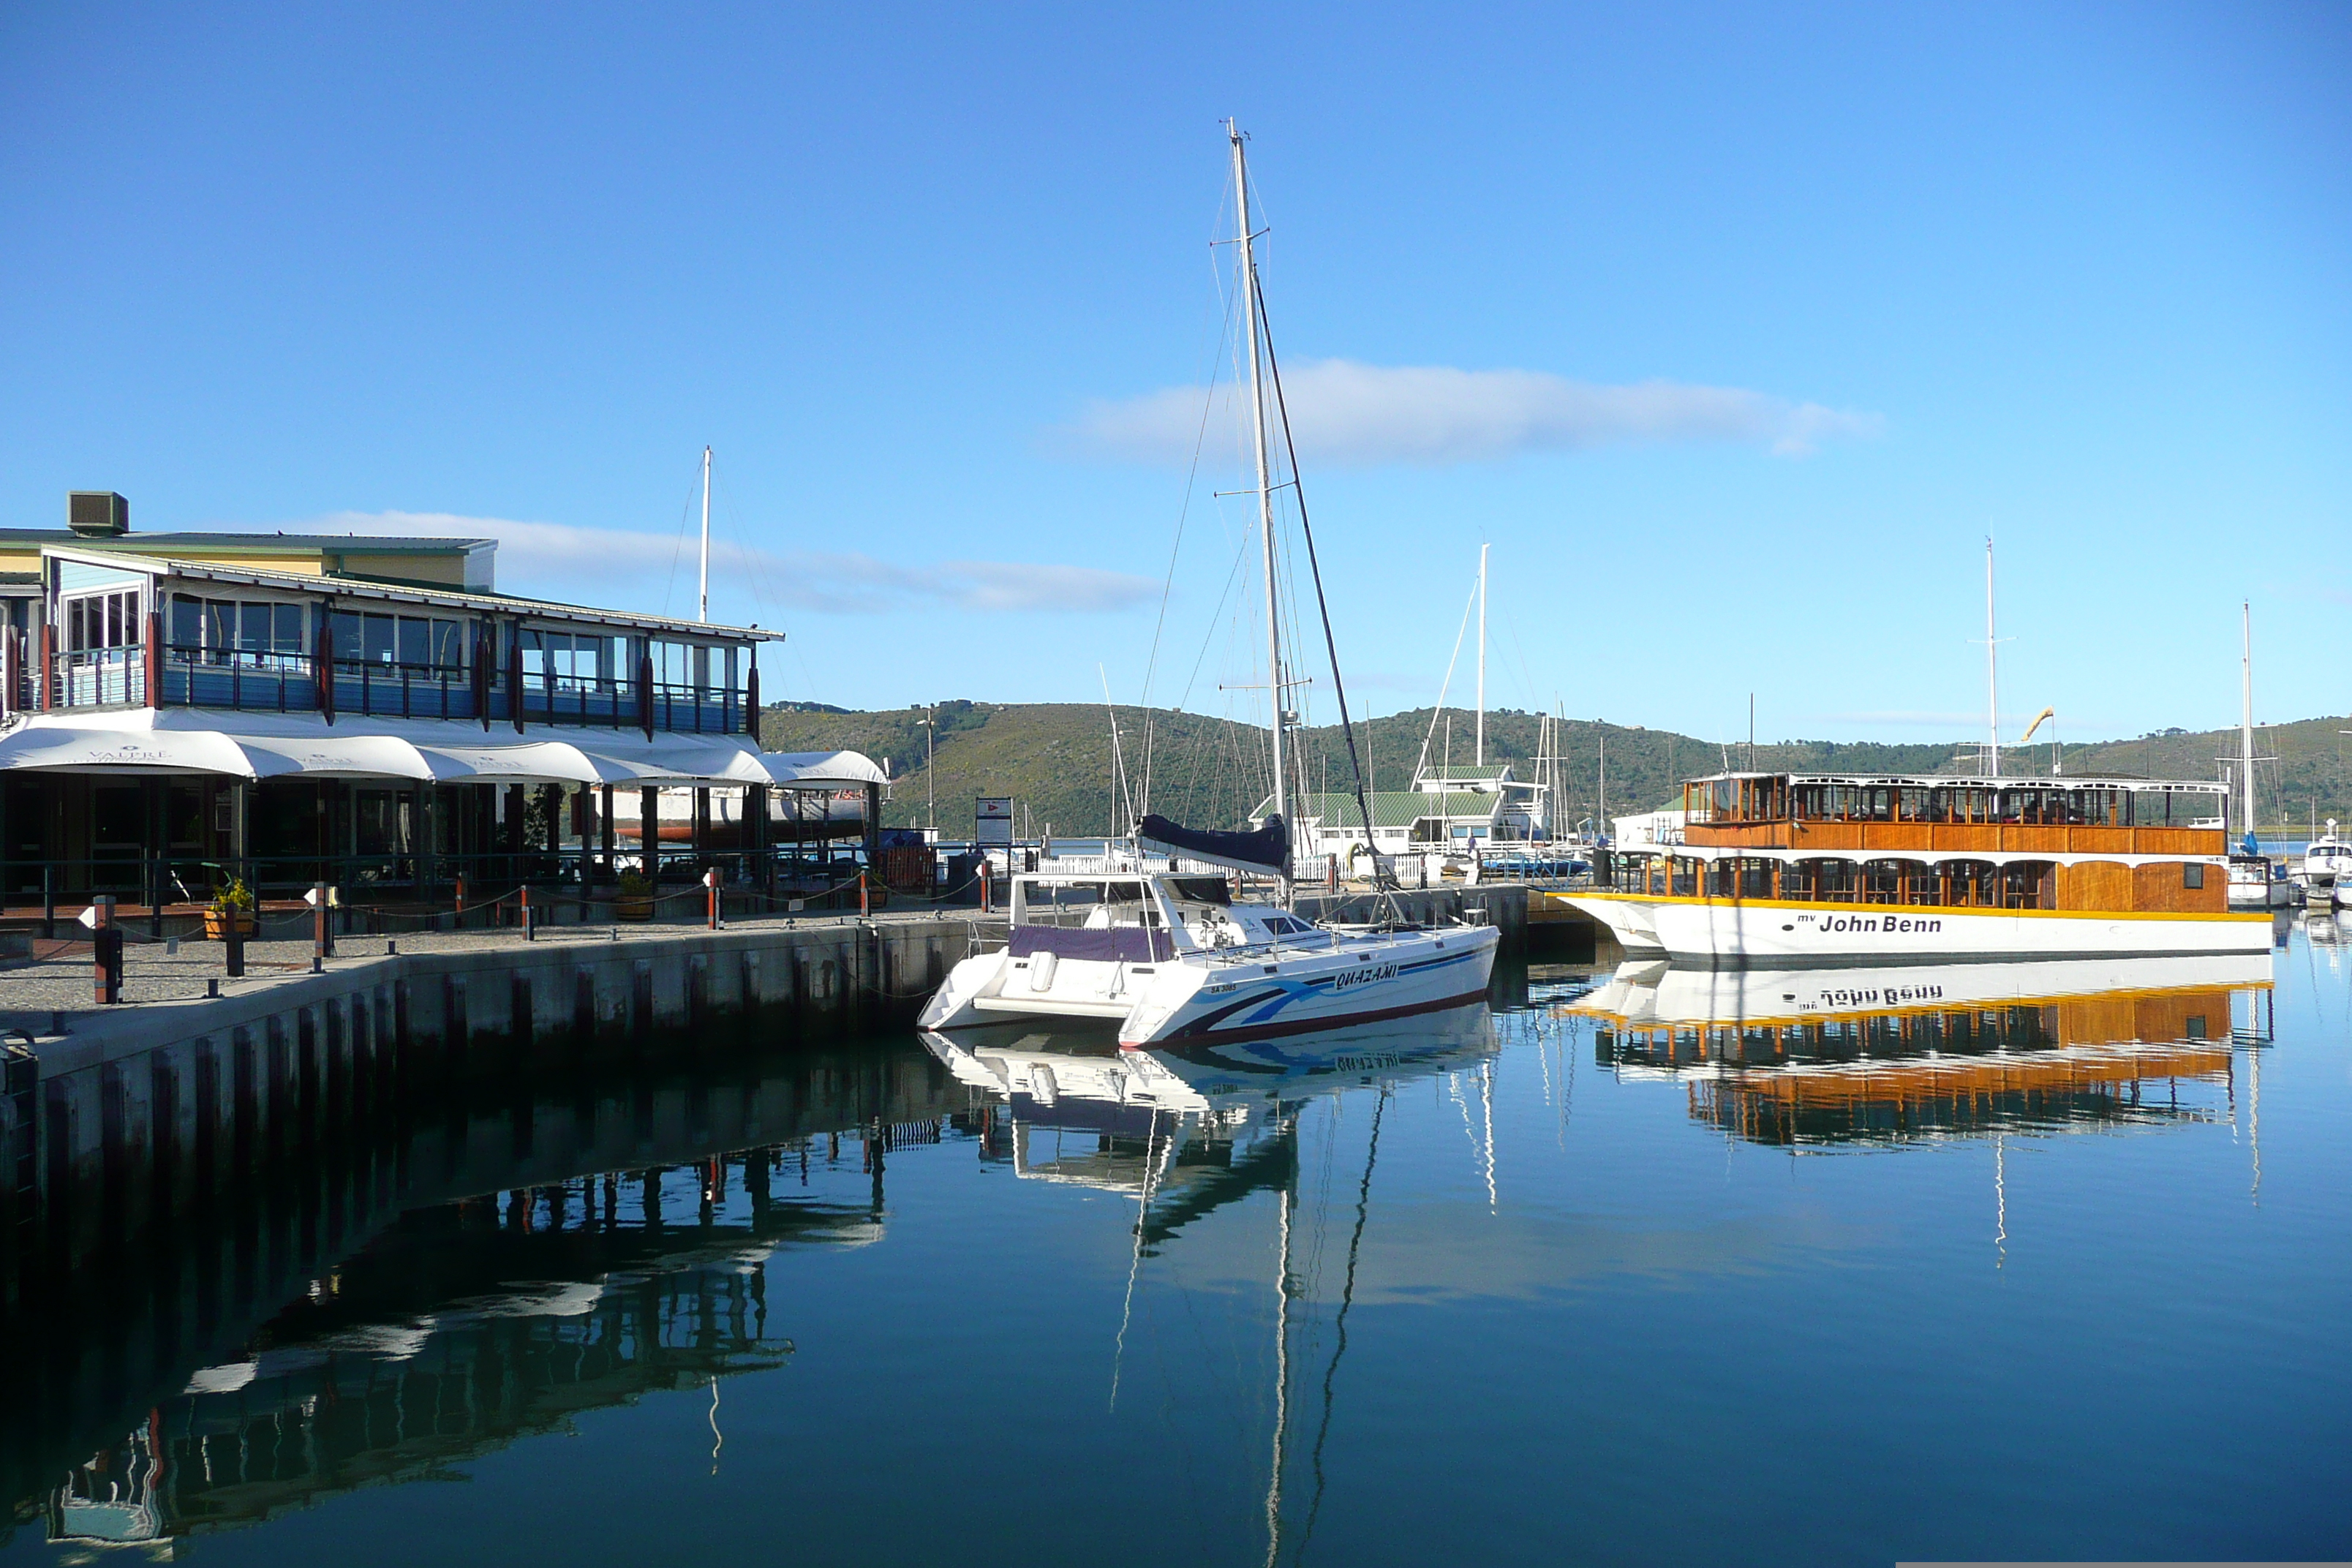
pixel 1735 330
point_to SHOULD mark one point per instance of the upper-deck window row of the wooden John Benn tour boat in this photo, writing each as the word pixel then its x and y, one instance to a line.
pixel 1777 800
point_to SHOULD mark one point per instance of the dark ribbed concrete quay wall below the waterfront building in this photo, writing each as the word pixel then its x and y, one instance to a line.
pixel 140 1115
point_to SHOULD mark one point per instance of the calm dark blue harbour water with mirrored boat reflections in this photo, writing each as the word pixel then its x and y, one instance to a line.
pixel 1796 1268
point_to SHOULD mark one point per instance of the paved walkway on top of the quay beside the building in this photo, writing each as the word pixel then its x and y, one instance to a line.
pixel 58 979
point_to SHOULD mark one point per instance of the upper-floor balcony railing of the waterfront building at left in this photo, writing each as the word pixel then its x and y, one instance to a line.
pixel 382 690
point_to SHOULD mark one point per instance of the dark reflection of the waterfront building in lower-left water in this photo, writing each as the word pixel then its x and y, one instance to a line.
pixel 460 1327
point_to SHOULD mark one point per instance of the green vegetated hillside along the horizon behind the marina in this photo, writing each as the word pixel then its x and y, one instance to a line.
pixel 1055 760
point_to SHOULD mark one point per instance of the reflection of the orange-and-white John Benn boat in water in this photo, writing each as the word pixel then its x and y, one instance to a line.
pixel 1857 1057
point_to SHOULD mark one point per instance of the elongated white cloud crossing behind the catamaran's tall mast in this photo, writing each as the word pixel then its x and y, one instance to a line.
pixel 1358 415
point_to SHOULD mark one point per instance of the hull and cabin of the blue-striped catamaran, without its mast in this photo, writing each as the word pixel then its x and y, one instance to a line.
pixel 1172 958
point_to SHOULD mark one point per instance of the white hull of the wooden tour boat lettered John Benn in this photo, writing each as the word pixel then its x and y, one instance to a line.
pixel 1744 932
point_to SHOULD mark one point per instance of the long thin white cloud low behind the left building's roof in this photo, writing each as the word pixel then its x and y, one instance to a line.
pixel 634 570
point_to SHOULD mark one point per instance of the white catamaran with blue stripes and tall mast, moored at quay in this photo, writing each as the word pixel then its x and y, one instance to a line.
pixel 1170 956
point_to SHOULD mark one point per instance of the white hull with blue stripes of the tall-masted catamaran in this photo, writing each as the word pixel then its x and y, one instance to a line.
pixel 1356 981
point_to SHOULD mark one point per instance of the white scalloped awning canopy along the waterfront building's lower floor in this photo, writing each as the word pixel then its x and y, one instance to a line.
pixel 425 751
